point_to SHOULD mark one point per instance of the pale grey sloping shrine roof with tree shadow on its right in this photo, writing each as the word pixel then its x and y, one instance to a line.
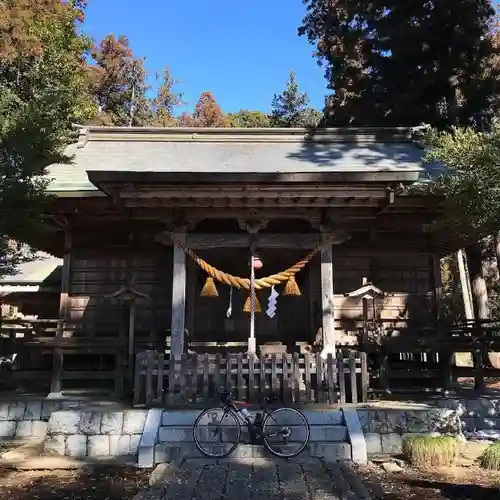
pixel 208 152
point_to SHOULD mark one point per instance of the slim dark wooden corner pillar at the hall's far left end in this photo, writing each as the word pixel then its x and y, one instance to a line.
pixel 57 367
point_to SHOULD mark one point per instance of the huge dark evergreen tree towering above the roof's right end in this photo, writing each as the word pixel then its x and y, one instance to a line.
pixel 402 63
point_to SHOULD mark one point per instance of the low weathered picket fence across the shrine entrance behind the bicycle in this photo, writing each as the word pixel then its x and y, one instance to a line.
pixel 295 379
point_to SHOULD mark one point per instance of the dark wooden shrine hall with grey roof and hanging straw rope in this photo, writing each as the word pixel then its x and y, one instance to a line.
pixel 157 227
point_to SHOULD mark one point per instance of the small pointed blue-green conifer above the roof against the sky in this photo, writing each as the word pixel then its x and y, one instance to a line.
pixel 289 107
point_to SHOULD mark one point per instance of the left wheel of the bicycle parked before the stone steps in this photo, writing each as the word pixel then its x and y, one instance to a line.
pixel 216 432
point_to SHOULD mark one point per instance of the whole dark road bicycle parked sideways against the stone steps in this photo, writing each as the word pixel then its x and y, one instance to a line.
pixel 262 429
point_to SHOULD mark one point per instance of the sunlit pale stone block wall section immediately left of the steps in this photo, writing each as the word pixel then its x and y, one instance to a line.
pixel 98 434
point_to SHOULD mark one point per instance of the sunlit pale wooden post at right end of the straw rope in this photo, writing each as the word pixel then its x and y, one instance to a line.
pixel 327 301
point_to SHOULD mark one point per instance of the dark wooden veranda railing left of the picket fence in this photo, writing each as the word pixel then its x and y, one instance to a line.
pixel 52 355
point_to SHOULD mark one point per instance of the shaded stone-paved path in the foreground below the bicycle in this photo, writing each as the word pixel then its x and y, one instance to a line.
pixel 261 479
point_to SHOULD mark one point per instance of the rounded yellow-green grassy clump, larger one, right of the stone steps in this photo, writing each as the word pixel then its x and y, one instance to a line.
pixel 428 451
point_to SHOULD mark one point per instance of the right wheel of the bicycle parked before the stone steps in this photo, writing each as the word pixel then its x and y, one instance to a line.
pixel 286 432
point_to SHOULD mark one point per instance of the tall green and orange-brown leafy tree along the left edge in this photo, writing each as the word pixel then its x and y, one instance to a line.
pixel 43 91
